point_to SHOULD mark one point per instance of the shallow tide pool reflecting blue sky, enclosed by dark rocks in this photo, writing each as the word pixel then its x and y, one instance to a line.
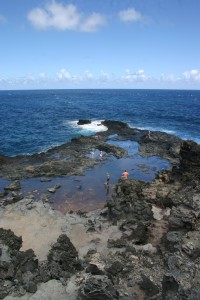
pixel 89 192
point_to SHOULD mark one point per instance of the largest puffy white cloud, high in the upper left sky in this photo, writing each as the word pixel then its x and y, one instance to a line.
pixel 64 17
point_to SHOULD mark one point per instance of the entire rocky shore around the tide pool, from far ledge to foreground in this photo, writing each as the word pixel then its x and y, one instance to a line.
pixel 144 243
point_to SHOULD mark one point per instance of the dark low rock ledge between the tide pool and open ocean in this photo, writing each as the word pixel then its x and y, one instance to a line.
pixel 72 158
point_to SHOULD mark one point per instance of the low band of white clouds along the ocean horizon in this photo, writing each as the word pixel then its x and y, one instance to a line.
pixel 129 79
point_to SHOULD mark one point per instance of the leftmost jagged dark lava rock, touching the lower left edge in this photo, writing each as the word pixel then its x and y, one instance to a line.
pixel 18 269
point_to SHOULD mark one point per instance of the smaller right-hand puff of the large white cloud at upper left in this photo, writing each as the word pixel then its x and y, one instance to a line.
pixel 93 22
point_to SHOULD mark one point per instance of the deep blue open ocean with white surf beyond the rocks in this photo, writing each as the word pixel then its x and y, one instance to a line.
pixel 34 121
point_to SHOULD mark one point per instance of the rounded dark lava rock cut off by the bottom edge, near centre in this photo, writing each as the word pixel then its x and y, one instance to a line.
pixel 98 287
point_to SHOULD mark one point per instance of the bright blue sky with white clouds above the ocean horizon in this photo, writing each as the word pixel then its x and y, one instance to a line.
pixel 99 44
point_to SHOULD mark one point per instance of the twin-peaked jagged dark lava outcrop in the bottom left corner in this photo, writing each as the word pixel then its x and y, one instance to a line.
pixel 20 271
